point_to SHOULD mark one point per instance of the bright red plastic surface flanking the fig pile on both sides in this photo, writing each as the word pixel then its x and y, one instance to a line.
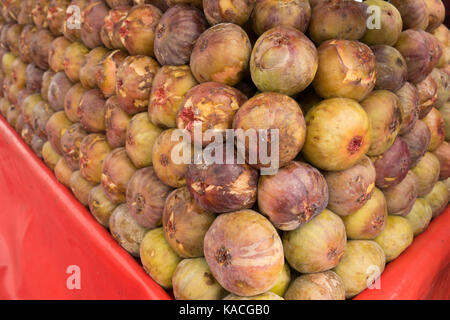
pixel 44 230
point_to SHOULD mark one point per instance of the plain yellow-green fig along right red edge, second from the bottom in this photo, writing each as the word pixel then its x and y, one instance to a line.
pixel 396 237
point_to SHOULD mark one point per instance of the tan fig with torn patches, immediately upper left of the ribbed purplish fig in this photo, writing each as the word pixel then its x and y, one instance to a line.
pixel 117 170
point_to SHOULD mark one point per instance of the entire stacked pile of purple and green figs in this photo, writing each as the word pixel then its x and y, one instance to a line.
pixel 359 113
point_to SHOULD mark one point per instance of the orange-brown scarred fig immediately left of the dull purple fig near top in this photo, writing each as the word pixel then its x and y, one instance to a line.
pixel 137 30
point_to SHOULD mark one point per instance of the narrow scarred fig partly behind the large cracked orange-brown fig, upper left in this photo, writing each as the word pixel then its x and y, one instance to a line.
pixel 106 71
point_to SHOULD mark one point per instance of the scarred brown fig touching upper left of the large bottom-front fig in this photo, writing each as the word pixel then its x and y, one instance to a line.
pixel 185 223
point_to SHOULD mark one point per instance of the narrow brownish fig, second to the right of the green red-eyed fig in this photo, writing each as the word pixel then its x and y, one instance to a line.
pixel 409 104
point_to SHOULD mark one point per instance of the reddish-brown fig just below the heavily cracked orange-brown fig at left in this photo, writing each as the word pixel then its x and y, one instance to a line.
pixel 116 122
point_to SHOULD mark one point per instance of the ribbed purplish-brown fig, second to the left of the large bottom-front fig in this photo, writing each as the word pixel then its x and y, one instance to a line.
pixel 145 197
